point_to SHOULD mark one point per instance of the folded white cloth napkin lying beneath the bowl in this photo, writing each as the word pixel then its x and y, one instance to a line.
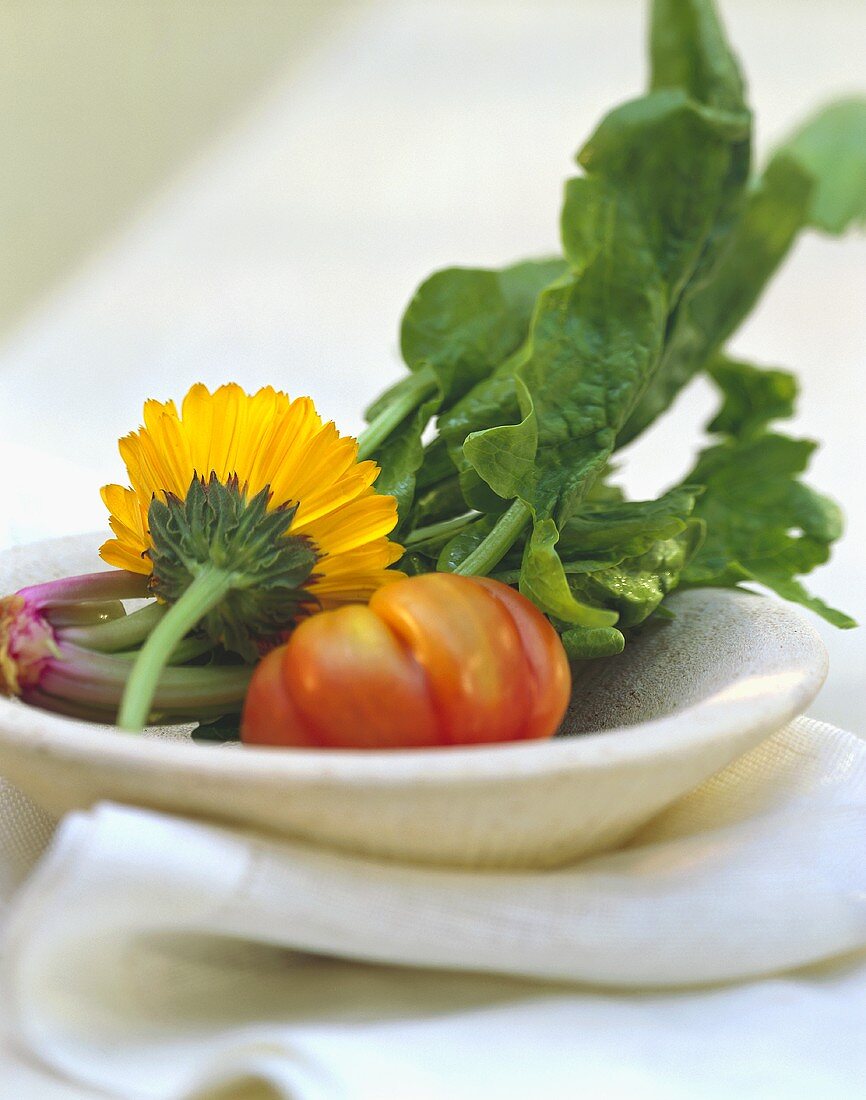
pixel 156 958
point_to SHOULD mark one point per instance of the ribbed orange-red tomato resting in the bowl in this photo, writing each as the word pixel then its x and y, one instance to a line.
pixel 435 659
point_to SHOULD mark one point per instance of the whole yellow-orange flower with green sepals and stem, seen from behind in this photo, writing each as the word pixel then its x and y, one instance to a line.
pixel 249 513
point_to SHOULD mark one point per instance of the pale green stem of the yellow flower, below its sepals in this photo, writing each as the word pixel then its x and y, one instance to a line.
pixel 203 595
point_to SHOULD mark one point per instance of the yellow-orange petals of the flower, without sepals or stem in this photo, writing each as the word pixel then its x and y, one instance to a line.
pixel 270 442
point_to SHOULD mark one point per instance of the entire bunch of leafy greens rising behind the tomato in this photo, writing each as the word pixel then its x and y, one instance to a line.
pixel 539 373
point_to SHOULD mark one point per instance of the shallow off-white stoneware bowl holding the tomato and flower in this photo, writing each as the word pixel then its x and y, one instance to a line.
pixel 683 701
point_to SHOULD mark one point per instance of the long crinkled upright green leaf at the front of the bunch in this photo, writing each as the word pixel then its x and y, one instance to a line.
pixel 635 230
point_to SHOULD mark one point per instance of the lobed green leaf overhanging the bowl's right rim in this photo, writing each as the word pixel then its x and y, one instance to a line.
pixel 763 523
